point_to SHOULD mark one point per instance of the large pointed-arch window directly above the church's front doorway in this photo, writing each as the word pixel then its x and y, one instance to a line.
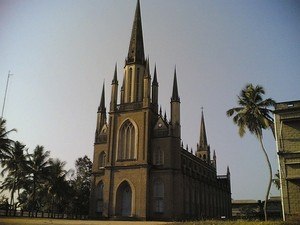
pixel 127 141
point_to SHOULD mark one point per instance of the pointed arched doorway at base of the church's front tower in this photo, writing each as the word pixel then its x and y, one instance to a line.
pixel 124 200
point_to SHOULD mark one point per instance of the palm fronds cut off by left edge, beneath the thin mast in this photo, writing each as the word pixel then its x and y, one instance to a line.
pixel 5 142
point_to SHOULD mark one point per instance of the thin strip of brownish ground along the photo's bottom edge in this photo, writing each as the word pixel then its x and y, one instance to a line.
pixel 27 221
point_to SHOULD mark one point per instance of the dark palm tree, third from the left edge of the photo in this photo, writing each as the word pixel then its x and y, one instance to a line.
pixel 39 171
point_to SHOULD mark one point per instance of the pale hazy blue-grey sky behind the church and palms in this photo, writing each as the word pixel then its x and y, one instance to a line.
pixel 60 52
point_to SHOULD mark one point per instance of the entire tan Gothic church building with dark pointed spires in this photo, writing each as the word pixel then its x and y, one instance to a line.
pixel 141 169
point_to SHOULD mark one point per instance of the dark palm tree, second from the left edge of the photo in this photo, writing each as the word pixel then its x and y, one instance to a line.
pixel 15 166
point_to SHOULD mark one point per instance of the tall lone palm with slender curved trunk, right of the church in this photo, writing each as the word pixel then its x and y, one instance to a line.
pixel 254 114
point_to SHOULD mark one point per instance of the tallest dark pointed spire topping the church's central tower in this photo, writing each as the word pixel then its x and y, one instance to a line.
pixel 136 46
